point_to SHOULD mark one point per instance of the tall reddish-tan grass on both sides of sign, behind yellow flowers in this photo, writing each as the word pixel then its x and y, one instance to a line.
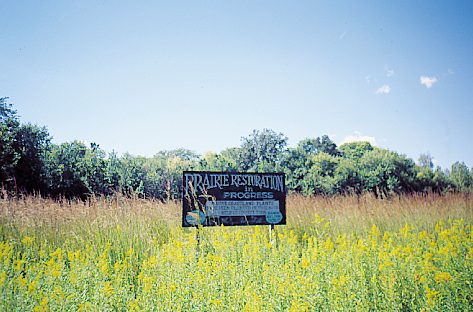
pixel 143 222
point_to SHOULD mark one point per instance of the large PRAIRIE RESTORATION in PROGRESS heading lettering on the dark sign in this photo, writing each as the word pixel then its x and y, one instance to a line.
pixel 201 182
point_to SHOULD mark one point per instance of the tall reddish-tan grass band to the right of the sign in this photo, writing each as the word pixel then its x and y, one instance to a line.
pixel 357 214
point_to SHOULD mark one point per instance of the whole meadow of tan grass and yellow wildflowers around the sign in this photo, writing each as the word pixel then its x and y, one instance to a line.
pixel 342 253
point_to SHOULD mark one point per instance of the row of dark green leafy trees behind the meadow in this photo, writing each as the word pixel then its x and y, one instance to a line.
pixel 30 163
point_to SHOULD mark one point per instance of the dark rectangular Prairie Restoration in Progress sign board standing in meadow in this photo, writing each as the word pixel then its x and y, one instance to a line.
pixel 233 198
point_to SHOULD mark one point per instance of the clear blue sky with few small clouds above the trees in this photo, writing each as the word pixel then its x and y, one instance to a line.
pixel 146 76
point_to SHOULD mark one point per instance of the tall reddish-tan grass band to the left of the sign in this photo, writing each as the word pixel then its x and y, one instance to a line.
pixel 120 221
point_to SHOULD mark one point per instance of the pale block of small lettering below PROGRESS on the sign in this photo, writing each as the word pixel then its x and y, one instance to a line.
pixel 230 208
